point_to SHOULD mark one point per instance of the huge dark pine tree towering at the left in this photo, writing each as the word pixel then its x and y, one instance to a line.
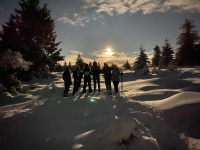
pixel 31 32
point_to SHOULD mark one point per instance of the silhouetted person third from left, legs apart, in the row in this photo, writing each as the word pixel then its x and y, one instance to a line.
pixel 87 78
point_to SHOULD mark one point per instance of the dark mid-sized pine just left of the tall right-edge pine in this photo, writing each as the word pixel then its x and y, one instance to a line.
pixel 166 54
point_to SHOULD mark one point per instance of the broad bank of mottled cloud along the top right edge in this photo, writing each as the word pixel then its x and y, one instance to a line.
pixel 119 7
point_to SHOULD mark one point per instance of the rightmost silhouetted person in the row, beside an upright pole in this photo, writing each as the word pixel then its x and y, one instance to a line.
pixel 115 77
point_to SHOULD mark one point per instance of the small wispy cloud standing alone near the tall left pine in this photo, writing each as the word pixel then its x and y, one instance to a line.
pixel 78 20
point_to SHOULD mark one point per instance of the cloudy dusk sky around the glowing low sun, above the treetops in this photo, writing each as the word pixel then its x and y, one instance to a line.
pixel 90 27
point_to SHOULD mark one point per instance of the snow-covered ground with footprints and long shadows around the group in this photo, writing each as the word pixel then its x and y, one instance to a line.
pixel 154 112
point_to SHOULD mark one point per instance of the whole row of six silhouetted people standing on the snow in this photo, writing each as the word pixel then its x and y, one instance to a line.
pixel 110 74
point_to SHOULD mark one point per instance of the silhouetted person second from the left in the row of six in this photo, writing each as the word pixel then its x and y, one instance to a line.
pixel 77 75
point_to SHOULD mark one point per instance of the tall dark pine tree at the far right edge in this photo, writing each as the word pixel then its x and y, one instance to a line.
pixel 186 53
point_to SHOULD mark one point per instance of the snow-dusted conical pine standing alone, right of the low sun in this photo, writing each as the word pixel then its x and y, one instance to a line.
pixel 142 59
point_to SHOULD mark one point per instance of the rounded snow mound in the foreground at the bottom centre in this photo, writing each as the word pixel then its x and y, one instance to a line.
pixel 108 137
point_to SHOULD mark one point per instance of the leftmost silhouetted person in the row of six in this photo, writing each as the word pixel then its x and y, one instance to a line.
pixel 68 81
